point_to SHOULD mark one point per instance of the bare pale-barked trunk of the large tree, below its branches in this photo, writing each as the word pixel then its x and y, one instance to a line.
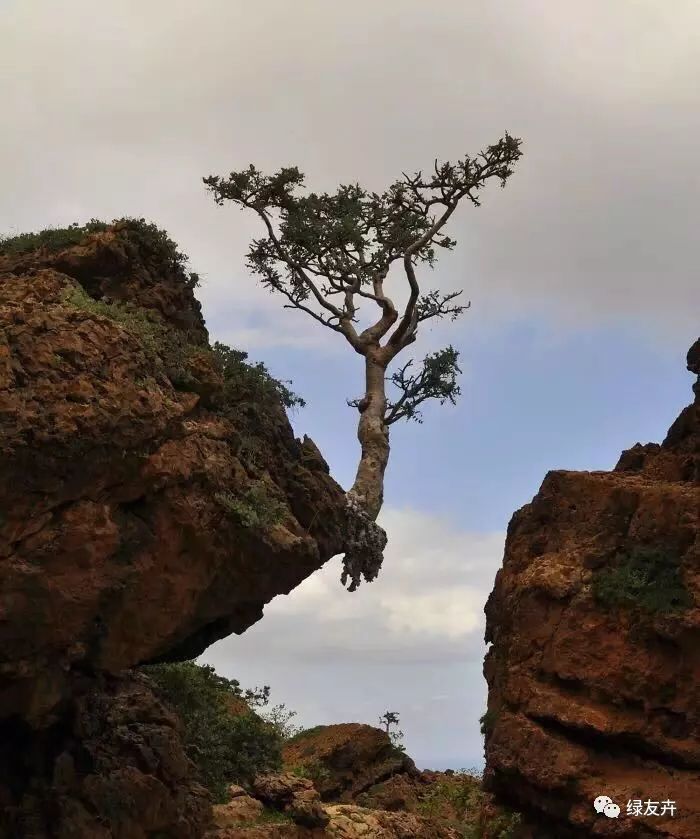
pixel 373 434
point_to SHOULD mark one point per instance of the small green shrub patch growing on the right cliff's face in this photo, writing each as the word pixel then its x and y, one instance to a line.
pixel 646 578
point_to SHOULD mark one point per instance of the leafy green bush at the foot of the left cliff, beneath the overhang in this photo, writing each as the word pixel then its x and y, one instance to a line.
pixel 226 747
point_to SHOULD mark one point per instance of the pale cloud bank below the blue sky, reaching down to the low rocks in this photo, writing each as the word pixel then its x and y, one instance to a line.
pixel 411 641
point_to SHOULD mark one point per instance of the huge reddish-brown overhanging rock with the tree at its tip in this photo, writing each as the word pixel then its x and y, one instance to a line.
pixel 115 546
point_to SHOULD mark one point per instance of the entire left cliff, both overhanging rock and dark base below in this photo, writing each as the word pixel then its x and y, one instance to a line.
pixel 153 499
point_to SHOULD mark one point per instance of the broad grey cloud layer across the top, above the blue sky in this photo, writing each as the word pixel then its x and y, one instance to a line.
pixel 596 227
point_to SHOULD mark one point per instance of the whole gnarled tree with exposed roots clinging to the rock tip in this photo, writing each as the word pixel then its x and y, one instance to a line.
pixel 327 253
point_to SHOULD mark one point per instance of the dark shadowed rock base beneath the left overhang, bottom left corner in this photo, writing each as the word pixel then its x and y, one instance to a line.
pixel 113 765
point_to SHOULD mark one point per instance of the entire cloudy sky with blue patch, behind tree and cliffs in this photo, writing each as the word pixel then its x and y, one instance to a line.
pixel 581 272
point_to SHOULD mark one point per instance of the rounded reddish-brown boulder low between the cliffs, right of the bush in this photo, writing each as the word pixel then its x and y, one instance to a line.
pixel 346 759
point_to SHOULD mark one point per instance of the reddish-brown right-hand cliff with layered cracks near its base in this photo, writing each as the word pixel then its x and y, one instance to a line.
pixel 594 668
